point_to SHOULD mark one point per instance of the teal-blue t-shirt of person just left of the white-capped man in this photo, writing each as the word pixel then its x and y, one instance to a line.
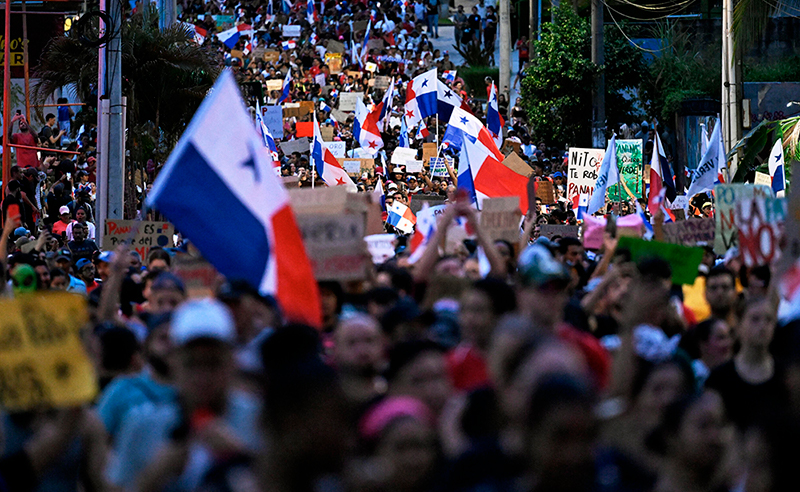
pixel 127 392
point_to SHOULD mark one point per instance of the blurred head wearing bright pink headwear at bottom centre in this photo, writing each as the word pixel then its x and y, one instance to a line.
pixel 400 431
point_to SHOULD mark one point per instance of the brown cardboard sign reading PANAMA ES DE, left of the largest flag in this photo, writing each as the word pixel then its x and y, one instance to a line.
pixel 141 235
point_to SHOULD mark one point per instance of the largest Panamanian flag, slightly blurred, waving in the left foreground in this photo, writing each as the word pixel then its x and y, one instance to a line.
pixel 218 187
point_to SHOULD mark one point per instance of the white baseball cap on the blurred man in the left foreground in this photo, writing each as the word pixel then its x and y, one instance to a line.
pixel 202 318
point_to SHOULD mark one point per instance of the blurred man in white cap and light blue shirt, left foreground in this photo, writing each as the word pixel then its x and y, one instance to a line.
pixel 174 445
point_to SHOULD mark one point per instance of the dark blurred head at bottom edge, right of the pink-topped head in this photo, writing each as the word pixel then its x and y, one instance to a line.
pixel 561 434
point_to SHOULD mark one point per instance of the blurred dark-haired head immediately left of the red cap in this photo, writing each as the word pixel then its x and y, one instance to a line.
pixel 419 369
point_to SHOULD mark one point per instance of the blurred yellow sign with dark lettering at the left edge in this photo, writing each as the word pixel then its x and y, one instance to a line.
pixel 42 360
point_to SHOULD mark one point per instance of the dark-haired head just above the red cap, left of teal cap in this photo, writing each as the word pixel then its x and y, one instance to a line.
pixel 481 307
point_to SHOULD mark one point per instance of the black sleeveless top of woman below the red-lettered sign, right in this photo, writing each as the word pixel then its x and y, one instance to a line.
pixel 745 402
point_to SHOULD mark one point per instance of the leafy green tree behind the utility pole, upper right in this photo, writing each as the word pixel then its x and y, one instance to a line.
pixel 557 88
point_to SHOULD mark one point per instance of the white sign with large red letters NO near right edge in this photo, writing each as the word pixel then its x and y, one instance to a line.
pixel 760 221
